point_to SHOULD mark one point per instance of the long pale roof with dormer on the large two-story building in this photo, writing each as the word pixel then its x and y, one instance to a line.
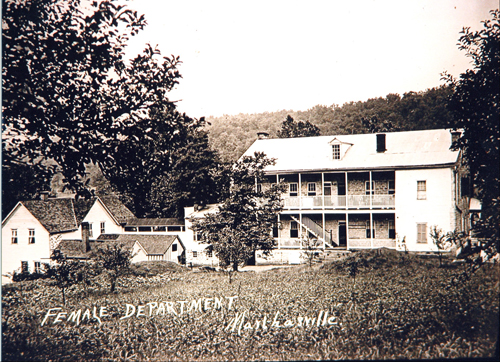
pixel 413 149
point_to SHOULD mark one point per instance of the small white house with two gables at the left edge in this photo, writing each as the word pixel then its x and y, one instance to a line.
pixel 34 228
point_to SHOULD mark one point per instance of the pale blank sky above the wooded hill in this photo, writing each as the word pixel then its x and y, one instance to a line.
pixel 257 56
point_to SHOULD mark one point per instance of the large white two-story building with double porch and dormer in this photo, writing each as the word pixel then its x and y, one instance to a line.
pixel 363 191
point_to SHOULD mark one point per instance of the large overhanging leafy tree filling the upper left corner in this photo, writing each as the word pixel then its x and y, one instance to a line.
pixel 68 92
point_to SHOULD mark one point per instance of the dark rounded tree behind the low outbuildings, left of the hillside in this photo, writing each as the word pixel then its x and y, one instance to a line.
pixel 163 163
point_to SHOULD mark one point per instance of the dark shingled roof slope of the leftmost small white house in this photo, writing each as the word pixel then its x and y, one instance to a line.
pixel 56 215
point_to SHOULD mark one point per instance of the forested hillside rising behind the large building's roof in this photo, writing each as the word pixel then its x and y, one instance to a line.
pixel 232 135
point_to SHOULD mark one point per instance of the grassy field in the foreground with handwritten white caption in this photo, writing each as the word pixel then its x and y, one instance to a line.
pixel 393 308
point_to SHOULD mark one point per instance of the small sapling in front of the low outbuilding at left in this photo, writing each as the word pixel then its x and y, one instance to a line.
pixel 115 260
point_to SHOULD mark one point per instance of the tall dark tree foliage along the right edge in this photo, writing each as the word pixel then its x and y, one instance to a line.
pixel 474 104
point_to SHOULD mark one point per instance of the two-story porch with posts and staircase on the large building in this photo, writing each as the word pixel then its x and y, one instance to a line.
pixel 352 209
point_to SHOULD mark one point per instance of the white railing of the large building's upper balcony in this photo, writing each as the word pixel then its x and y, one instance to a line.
pixel 339 202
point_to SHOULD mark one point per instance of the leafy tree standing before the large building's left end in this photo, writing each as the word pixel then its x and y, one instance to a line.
pixel 244 221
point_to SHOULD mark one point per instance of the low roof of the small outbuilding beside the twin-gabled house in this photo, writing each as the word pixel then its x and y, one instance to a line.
pixel 152 244
